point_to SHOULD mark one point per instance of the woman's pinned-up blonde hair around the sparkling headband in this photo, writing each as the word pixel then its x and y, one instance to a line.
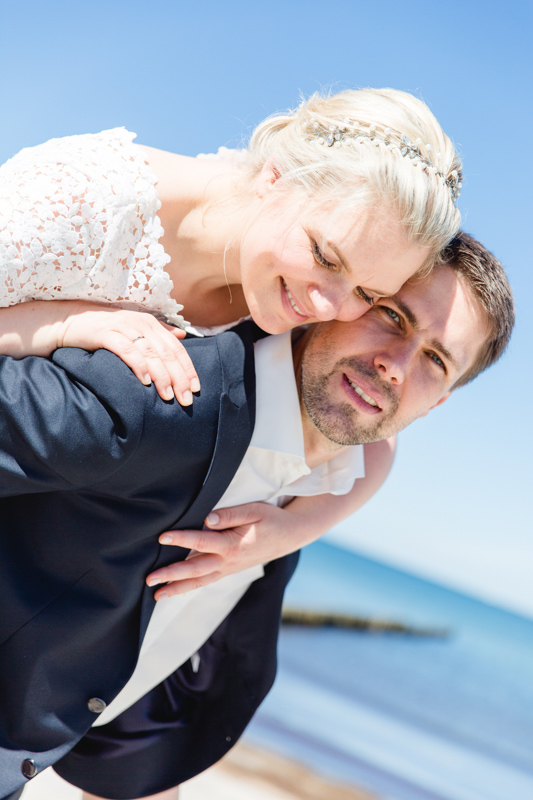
pixel 362 168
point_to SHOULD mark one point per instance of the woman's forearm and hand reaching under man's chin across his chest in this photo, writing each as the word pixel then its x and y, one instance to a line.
pixel 256 533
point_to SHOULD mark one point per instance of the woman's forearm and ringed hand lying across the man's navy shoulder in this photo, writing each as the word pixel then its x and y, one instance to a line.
pixel 151 349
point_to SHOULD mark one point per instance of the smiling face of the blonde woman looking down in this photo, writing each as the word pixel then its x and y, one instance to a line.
pixel 301 262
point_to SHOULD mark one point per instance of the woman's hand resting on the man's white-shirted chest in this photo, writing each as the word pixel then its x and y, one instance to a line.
pixel 245 536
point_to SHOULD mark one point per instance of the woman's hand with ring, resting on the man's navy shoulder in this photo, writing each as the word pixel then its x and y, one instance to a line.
pixel 150 348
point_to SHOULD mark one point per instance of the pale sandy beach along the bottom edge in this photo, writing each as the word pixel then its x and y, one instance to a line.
pixel 246 773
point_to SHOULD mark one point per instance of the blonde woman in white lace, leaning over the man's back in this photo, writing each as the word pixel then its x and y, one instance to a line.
pixel 330 207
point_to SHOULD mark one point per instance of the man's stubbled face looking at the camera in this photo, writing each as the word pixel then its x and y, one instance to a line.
pixel 365 380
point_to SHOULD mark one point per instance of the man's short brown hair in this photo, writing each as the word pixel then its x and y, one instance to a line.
pixel 488 283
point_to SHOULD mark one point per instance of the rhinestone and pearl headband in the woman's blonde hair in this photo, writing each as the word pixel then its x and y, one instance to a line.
pixel 334 136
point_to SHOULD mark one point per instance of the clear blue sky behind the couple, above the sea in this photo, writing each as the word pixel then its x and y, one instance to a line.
pixel 190 77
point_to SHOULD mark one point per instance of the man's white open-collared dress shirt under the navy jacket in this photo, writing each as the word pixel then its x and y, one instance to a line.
pixel 273 470
